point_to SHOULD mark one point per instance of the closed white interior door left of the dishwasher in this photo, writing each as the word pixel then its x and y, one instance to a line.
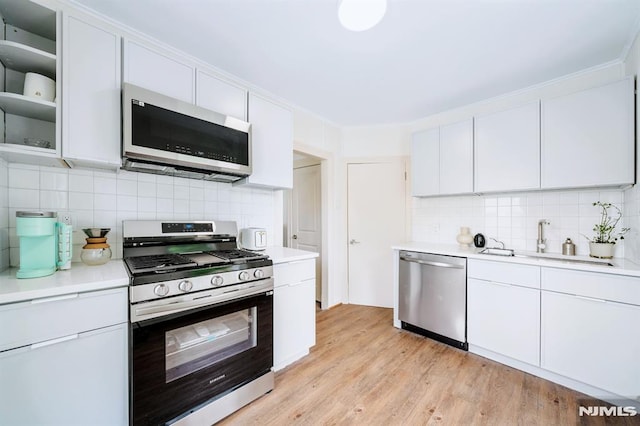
pixel 376 221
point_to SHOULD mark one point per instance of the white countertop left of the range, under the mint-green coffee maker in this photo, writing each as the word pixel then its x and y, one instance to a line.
pixel 80 278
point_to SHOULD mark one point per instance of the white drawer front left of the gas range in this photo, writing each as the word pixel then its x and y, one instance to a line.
pixel 50 318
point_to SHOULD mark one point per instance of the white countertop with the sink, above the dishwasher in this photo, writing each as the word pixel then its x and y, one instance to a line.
pixel 554 260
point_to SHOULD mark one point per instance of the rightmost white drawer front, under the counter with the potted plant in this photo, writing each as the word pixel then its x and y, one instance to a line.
pixel 616 288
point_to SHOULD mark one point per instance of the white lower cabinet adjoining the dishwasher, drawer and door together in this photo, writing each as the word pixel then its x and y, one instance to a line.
pixel 503 310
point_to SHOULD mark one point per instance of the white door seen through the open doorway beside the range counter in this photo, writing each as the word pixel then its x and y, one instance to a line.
pixel 306 223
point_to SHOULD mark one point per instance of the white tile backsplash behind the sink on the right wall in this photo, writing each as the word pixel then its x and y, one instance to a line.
pixel 513 218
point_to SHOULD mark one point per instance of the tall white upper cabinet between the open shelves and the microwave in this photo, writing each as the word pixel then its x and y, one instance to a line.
pixel 91 97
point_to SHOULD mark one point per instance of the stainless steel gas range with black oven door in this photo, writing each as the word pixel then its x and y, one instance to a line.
pixel 201 313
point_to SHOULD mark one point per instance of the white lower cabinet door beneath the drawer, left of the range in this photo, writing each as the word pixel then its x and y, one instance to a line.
pixel 79 380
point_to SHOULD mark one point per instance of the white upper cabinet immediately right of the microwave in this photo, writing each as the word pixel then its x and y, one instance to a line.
pixel 272 144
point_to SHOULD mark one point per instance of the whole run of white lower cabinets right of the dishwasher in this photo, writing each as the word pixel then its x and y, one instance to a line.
pixel 577 328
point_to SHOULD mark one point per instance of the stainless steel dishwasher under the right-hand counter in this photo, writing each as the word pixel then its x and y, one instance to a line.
pixel 433 296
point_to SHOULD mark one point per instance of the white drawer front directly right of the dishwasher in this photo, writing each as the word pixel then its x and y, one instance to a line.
pixel 507 273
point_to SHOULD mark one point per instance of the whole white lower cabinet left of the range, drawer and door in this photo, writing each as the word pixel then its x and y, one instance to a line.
pixel 56 374
